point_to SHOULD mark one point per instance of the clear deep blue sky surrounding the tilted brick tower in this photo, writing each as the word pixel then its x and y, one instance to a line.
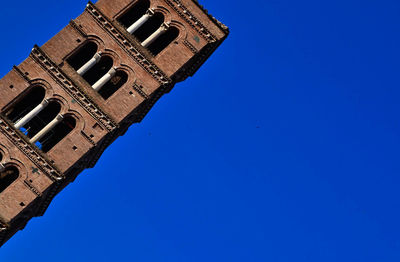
pixel 284 147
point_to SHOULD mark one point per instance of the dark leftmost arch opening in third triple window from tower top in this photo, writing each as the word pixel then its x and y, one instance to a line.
pixel 29 101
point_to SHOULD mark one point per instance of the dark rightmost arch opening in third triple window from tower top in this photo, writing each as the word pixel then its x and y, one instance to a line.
pixel 57 133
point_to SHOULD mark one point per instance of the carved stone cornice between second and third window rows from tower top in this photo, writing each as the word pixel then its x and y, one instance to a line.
pixel 73 90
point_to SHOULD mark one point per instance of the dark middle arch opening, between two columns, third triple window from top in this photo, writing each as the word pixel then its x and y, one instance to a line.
pixel 40 121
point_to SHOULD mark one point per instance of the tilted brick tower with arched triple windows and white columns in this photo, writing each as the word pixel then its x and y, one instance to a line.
pixel 72 97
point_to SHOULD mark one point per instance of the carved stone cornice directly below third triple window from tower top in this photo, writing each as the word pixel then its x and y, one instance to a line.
pixel 30 151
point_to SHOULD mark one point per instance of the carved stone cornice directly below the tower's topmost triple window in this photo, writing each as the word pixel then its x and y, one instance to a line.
pixel 127 45
